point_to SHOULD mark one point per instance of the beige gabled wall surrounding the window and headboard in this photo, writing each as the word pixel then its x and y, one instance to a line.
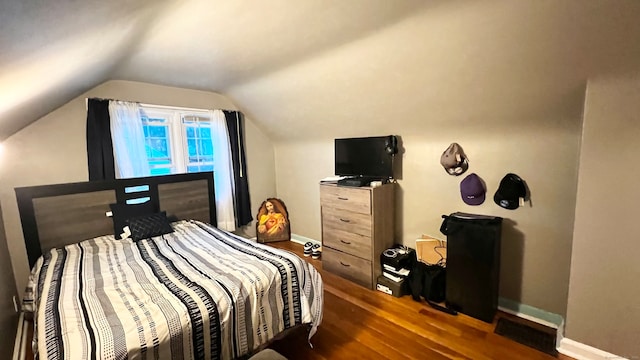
pixel 53 150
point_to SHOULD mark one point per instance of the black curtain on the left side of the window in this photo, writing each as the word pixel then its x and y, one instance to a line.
pixel 99 146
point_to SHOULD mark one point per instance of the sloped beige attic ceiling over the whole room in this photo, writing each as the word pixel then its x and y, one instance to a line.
pixel 304 69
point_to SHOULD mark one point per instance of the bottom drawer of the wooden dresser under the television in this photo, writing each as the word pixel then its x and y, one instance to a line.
pixel 347 266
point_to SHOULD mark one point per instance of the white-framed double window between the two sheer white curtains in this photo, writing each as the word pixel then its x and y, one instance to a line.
pixel 177 141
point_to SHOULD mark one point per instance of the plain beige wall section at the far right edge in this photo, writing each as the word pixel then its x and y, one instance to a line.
pixel 603 310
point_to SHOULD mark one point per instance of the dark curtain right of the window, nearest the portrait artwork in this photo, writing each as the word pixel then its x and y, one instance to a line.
pixel 235 127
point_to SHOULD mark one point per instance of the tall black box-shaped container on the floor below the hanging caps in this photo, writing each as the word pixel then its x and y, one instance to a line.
pixel 473 263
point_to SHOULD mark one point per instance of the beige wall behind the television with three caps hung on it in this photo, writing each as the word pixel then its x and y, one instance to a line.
pixel 536 242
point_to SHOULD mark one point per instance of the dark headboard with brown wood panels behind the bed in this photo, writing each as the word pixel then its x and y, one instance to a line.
pixel 62 214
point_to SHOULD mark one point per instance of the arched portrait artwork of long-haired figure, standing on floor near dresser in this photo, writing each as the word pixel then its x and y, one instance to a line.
pixel 272 221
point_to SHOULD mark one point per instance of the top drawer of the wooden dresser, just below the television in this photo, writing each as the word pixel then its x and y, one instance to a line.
pixel 340 197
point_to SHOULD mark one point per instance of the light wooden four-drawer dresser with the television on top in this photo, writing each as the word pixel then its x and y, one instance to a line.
pixel 358 224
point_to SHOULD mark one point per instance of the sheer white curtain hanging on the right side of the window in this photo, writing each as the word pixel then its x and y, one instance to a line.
pixel 222 171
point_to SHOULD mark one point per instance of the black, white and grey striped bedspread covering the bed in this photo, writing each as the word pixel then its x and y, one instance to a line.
pixel 198 293
